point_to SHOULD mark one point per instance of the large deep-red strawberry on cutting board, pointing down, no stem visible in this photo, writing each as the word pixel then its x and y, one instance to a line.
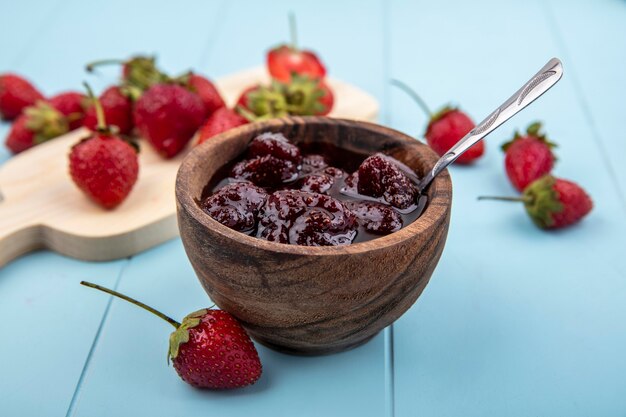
pixel 167 116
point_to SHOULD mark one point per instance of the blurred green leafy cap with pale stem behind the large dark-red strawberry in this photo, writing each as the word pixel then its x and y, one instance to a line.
pixel 138 73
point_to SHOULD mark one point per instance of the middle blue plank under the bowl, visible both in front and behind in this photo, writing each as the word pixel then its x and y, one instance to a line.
pixel 352 383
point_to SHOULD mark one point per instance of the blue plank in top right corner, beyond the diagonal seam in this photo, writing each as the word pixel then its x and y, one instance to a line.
pixel 592 35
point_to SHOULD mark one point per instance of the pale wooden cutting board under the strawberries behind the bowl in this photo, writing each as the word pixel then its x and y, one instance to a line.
pixel 42 208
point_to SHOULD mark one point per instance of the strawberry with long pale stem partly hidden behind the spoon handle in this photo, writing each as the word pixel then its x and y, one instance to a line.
pixel 446 127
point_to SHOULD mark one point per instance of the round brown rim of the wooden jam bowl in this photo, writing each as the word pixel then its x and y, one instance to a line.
pixel 436 209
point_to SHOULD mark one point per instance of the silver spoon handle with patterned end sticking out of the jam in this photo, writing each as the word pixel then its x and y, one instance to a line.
pixel 533 89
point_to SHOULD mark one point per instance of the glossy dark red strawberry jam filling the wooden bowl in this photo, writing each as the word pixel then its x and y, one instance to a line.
pixel 315 194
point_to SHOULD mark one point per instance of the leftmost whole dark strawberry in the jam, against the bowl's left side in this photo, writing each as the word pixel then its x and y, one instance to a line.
pixel 236 205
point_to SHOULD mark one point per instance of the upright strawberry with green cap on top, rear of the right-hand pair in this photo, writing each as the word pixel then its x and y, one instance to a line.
pixel 528 157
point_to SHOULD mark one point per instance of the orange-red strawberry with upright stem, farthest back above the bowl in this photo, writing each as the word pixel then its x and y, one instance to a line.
pixel 285 60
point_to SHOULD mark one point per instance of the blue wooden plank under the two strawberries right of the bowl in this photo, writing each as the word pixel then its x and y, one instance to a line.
pixel 515 321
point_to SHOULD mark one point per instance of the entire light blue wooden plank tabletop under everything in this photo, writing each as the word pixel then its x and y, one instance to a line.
pixel 514 322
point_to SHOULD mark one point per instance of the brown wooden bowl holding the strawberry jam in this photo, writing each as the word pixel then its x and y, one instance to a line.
pixel 312 300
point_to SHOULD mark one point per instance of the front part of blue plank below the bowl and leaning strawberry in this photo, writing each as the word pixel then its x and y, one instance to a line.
pixel 128 374
